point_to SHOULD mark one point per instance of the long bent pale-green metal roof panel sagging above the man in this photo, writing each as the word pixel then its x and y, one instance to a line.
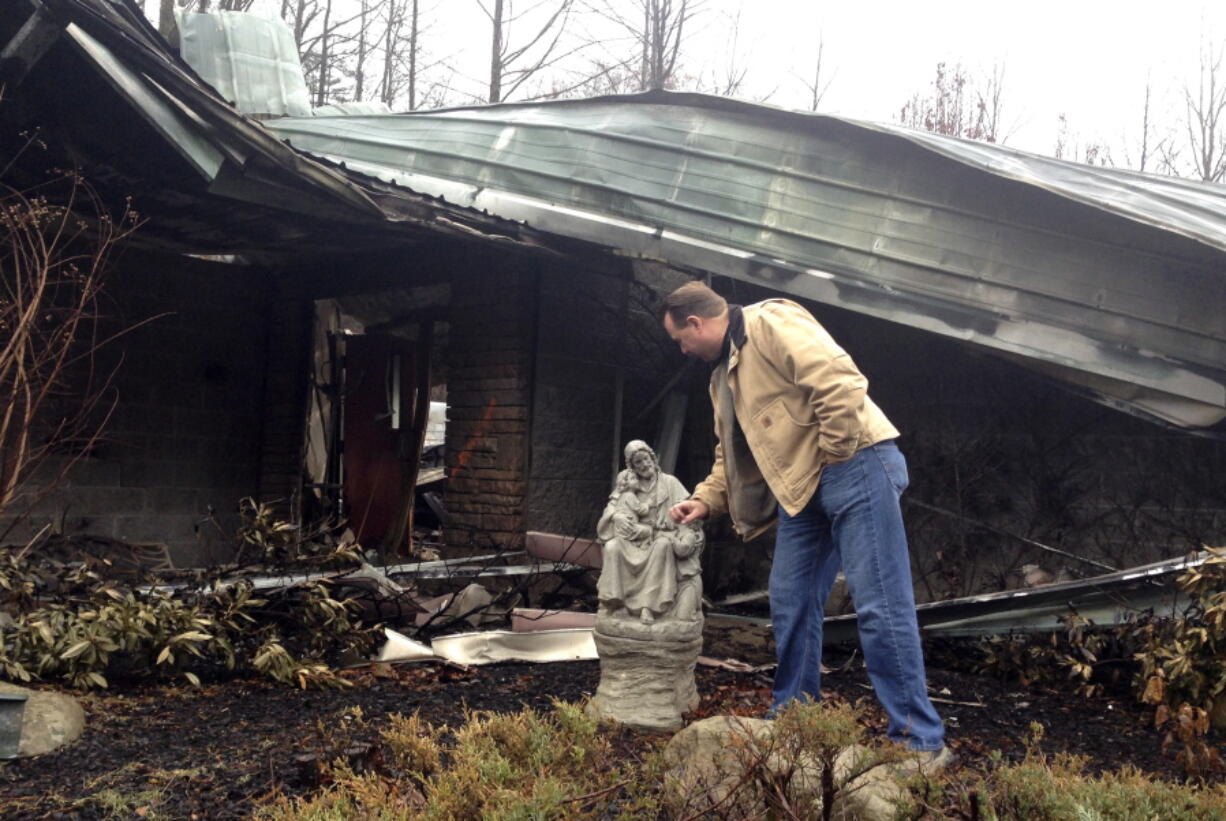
pixel 1111 280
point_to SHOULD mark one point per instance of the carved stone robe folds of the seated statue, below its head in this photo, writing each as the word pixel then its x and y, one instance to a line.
pixel 644 573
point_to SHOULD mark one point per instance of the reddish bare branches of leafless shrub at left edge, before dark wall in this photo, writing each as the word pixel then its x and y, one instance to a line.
pixel 52 264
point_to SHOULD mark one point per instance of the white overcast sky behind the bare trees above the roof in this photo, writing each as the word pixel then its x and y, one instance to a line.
pixel 1087 59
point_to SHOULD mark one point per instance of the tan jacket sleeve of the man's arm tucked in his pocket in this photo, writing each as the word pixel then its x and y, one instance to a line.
pixel 807 356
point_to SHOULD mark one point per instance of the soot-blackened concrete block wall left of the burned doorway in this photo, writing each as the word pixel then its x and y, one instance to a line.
pixel 187 428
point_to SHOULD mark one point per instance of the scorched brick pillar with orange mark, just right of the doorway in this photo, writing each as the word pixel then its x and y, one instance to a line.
pixel 491 336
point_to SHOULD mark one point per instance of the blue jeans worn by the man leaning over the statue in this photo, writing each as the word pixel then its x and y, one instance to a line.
pixel 854 520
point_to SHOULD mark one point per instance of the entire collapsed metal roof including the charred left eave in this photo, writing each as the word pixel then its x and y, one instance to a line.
pixel 1110 281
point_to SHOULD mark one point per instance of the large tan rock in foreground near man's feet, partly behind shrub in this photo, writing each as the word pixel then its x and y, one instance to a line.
pixel 709 759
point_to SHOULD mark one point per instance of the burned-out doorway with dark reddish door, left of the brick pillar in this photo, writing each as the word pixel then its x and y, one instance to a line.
pixel 376 427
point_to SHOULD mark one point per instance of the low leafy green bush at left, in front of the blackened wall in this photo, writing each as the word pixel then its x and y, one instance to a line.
pixel 73 624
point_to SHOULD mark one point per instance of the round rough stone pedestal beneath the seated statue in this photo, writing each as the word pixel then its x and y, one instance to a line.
pixel 647 672
